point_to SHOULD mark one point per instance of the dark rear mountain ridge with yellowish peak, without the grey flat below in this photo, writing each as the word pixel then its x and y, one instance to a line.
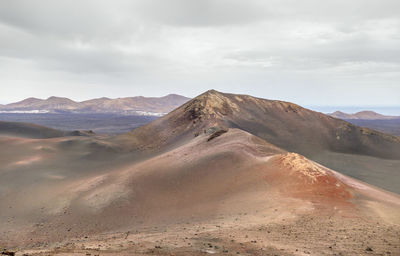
pixel 281 123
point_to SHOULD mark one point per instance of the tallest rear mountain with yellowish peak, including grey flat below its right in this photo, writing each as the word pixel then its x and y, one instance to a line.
pixel 355 151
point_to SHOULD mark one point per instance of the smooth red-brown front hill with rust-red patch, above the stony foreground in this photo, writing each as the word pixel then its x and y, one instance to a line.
pixel 199 180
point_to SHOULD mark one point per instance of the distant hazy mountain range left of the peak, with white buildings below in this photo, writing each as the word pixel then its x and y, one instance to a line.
pixel 139 105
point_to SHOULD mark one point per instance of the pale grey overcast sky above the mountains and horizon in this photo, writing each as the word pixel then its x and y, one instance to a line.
pixel 310 52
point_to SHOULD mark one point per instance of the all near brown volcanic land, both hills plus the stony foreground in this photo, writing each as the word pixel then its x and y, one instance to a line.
pixel 222 174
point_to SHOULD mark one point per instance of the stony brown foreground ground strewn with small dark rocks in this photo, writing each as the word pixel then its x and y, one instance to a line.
pixel 275 233
